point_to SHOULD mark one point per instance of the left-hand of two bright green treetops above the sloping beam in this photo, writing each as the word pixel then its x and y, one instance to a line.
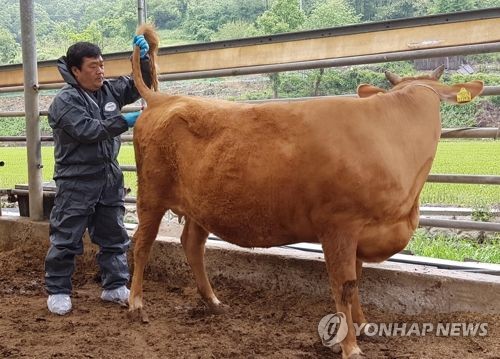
pixel 283 16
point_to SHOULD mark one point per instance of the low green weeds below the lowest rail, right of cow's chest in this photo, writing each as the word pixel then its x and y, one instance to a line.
pixel 453 248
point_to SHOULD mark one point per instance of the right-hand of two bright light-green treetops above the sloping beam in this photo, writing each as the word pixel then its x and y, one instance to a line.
pixel 331 13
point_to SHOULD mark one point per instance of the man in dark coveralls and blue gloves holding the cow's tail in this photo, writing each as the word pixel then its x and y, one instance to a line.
pixel 86 121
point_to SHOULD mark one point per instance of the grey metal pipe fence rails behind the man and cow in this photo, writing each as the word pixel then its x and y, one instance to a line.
pixel 33 138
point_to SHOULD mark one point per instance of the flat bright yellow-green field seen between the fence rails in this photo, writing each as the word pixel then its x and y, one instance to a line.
pixel 453 157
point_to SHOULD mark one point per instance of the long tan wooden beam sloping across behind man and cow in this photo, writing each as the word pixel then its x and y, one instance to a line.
pixel 294 48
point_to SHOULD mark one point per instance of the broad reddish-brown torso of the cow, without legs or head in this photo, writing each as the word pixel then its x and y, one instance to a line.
pixel 278 171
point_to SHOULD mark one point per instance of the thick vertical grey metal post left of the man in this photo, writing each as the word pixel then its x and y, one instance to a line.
pixel 33 143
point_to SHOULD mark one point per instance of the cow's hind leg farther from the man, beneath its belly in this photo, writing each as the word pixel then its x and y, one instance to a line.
pixel 193 240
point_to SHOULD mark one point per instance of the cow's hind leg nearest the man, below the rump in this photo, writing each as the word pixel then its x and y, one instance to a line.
pixel 149 223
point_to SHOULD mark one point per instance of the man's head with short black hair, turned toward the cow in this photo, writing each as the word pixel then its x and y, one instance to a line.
pixel 85 62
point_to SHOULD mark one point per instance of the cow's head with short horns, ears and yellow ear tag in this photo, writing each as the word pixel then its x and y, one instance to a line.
pixel 458 93
